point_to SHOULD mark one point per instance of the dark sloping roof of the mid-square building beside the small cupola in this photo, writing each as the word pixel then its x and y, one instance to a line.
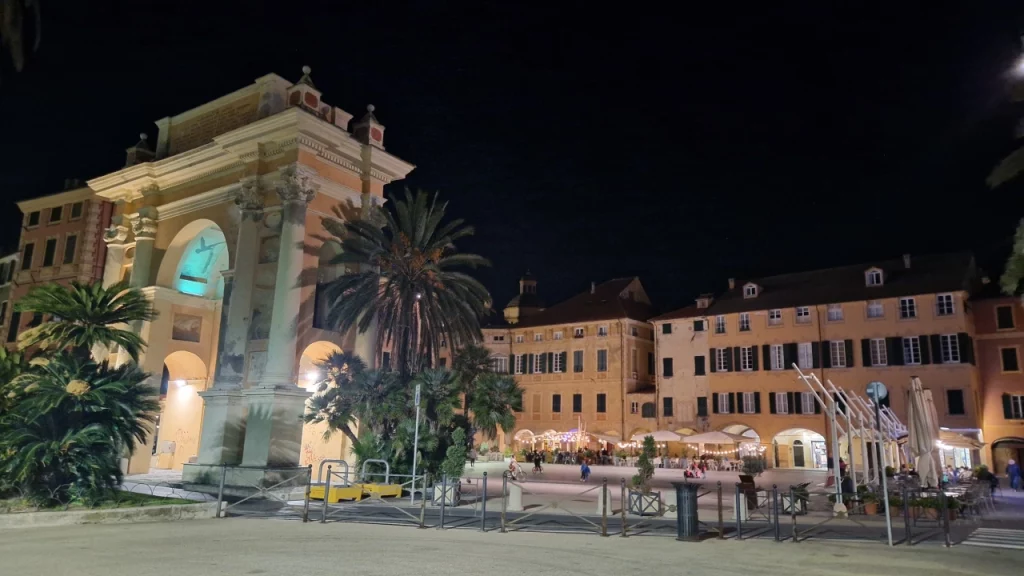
pixel 605 304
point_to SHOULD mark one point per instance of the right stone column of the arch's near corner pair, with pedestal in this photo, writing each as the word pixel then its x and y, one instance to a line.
pixel 274 426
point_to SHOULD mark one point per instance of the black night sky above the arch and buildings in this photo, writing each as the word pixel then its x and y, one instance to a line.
pixel 585 143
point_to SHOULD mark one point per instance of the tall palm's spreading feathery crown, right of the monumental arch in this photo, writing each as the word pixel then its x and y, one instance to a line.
pixel 408 280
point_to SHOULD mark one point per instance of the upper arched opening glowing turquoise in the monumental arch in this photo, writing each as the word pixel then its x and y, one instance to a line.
pixel 194 262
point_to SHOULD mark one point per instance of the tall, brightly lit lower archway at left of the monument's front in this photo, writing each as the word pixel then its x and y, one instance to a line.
pixel 178 433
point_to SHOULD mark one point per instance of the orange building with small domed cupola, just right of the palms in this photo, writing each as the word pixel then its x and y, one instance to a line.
pixel 586 362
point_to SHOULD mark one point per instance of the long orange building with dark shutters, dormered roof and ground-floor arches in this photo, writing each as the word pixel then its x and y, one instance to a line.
pixel 885 321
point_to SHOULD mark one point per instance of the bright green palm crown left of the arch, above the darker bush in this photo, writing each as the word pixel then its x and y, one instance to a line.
pixel 83 316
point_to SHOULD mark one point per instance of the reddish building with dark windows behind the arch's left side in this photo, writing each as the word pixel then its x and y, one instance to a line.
pixel 62 241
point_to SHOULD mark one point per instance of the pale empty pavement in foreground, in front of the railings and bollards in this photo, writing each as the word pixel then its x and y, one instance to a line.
pixel 246 547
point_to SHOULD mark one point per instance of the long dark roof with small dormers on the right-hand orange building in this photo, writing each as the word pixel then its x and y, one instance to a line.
pixel 928 275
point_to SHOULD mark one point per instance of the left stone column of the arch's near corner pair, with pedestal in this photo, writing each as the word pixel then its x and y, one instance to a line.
pixel 222 439
